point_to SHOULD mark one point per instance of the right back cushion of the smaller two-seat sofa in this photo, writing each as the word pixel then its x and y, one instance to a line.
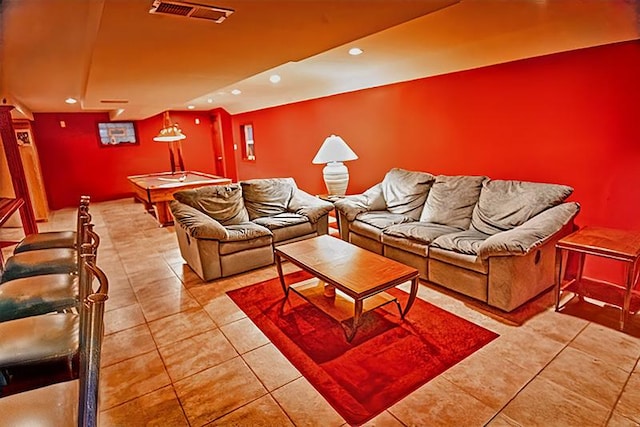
pixel 268 196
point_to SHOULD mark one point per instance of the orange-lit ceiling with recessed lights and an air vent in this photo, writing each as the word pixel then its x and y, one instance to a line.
pixel 114 50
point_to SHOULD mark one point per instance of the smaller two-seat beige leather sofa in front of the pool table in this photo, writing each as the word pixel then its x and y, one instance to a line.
pixel 225 230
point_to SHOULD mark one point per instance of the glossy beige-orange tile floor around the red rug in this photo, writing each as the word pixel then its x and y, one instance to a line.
pixel 178 351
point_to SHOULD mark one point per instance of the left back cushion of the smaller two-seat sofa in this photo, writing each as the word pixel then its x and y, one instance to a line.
pixel 223 203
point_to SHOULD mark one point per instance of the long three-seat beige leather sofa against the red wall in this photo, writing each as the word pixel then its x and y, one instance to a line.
pixel 492 240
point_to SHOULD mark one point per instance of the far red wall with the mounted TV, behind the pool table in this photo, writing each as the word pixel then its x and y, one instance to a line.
pixel 73 163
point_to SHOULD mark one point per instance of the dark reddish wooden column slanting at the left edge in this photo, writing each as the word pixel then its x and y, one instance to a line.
pixel 16 170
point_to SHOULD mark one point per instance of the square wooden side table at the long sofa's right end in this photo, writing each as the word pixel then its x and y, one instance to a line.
pixel 619 245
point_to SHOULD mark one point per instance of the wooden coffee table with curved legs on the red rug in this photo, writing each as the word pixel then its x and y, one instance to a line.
pixel 360 276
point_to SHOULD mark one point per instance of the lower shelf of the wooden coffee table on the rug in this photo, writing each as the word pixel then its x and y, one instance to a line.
pixel 340 307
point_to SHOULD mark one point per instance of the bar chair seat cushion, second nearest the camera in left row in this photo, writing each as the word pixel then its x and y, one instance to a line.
pixel 38 339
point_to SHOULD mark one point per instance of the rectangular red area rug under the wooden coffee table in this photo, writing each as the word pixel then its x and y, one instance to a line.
pixel 387 359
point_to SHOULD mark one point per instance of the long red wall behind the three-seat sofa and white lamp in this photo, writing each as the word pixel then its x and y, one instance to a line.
pixel 570 118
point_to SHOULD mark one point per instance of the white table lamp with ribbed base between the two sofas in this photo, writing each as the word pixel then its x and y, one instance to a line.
pixel 333 152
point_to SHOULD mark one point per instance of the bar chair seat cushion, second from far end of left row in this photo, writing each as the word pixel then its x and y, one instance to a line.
pixel 44 261
